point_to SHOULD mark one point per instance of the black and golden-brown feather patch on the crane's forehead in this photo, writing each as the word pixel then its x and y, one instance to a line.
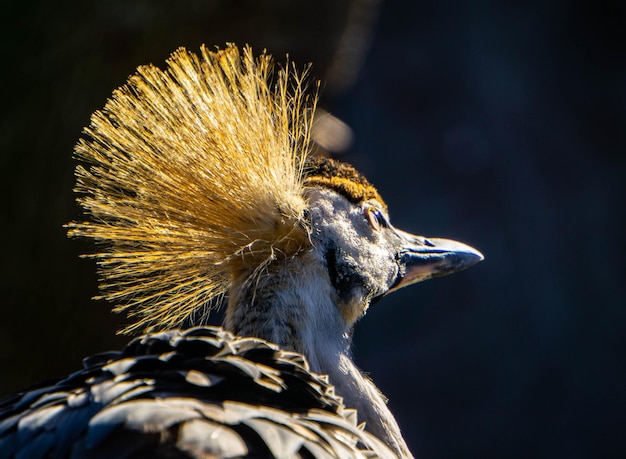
pixel 340 177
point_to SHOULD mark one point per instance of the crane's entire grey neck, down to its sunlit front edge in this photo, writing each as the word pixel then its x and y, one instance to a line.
pixel 296 310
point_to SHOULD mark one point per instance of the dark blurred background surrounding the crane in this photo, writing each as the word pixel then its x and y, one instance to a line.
pixel 502 124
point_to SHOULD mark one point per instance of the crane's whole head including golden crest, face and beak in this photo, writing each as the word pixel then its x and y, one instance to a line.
pixel 198 178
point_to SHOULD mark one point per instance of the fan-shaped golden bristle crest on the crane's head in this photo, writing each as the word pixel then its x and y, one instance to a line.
pixel 192 177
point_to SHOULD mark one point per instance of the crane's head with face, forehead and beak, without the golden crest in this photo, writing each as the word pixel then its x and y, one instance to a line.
pixel 365 256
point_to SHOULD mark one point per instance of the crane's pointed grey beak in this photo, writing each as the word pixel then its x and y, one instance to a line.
pixel 423 258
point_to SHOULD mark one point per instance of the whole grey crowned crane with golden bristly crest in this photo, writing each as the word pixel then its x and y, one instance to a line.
pixel 201 190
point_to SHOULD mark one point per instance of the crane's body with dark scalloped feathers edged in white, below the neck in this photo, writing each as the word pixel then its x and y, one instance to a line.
pixel 198 393
